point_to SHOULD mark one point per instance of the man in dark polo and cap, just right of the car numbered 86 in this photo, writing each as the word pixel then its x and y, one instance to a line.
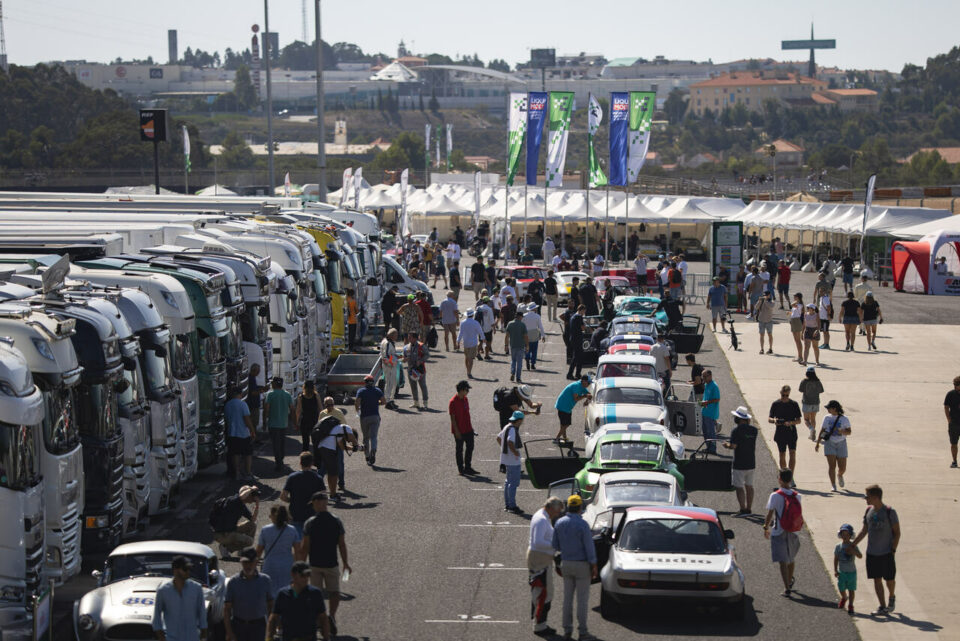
pixel 248 601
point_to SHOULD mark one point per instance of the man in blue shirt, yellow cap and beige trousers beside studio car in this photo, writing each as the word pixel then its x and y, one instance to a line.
pixel 578 564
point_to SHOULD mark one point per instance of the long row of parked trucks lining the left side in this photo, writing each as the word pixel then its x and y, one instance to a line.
pixel 123 324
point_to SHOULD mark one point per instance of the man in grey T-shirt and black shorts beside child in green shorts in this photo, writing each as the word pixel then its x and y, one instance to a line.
pixel 881 527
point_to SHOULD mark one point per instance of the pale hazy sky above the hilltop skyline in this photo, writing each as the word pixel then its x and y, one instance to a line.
pixel 878 34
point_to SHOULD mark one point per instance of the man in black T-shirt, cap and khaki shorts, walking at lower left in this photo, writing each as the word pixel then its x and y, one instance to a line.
pixel 323 538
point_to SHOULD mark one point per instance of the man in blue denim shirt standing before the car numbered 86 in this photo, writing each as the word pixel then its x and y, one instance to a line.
pixel 179 612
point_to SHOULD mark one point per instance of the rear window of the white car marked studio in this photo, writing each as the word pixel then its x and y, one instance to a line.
pixel 672 536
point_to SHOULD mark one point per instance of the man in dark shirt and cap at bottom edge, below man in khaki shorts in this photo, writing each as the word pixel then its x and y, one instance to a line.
pixel 299 609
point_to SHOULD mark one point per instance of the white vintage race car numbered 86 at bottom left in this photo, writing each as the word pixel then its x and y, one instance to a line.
pixel 121 606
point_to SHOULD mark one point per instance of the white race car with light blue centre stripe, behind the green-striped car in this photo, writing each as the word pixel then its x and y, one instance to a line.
pixel 625 400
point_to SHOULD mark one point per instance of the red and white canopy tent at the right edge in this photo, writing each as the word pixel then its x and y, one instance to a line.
pixel 915 267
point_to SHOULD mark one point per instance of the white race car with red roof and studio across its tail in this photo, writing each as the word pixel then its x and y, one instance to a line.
pixel 669 553
